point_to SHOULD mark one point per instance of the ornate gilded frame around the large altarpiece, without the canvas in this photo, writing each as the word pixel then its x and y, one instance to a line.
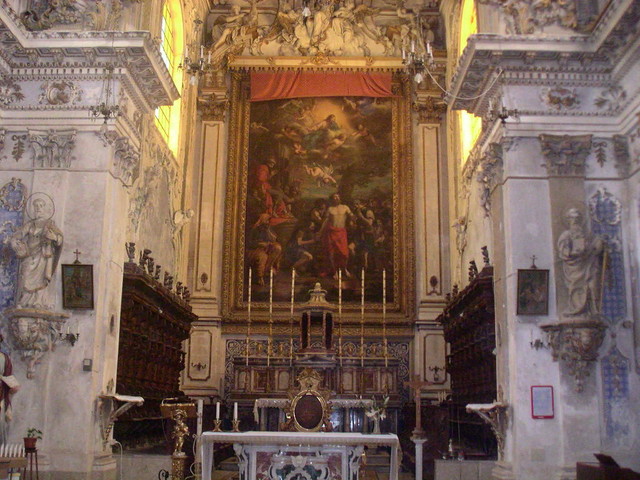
pixel 233 307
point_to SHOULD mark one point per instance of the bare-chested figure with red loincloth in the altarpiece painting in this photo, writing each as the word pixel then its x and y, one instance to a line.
pixel 334 235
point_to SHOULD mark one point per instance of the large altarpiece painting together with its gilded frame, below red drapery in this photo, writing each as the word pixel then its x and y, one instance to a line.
pixel 319 185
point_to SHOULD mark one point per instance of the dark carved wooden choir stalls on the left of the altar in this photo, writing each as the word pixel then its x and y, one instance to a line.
pixel 153 324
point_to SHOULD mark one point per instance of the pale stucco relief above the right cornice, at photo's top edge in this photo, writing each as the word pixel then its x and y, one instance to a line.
pixel 530 16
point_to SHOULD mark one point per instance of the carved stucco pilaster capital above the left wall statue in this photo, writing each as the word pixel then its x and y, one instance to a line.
pixel 52 148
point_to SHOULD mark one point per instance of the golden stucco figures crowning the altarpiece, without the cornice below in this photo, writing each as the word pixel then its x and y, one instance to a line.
pixel 329 29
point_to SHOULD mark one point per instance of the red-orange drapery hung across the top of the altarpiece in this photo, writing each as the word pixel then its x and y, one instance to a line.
pixel 296 84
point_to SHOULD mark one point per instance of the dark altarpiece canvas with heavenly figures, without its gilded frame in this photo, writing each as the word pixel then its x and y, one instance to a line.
pixel 320 198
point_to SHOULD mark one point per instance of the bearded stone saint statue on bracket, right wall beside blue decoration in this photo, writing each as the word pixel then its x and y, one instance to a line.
pixel 582 262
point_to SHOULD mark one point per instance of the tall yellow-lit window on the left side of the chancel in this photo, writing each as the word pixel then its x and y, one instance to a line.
pixel 171 49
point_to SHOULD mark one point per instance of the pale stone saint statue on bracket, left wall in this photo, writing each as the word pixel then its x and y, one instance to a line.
pixel 37 244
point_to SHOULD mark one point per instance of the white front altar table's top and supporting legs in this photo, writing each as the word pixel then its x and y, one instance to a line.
pixel 247 445
